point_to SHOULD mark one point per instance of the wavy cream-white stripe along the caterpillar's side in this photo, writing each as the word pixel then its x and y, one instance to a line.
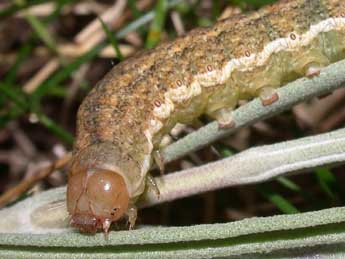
pixel 244 63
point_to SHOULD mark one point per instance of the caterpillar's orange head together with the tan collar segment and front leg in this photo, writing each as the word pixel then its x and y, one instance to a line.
pixel 102 182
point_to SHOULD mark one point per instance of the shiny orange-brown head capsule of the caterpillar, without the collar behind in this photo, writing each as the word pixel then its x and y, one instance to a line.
pixel 95 198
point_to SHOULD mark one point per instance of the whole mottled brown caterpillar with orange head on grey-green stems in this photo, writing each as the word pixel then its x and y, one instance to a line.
pixel 121 122
